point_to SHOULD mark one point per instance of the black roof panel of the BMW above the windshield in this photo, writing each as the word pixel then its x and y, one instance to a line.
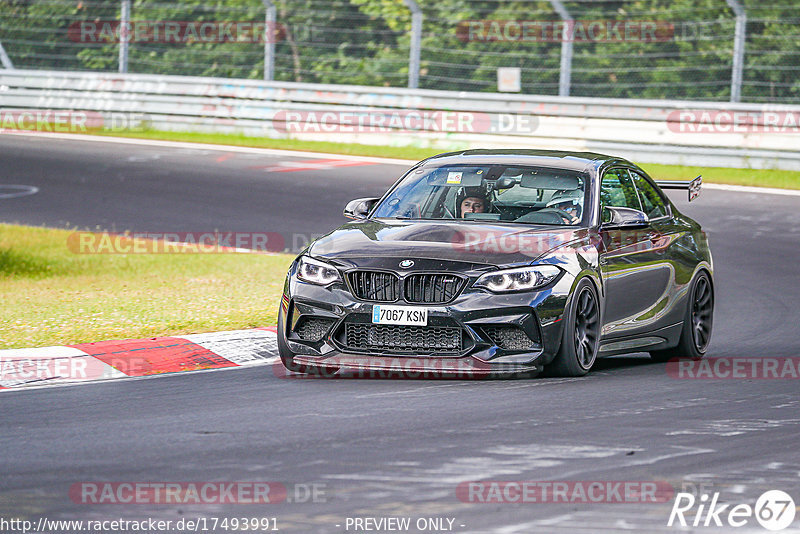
pixel 577 161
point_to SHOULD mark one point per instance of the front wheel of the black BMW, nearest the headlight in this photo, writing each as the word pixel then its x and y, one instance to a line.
pixel 580 340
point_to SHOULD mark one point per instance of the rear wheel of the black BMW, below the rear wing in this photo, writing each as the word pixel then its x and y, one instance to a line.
pixel 697 323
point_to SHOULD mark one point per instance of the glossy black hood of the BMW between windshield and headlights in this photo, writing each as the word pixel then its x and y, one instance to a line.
pixel 476 243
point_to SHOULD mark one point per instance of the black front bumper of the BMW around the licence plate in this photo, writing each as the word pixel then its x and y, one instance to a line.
pixel 499 333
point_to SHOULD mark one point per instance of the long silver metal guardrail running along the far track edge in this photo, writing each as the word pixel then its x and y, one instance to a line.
pixel 651 131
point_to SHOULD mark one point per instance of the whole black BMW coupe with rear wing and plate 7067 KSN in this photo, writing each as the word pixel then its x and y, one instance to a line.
pixel 491 262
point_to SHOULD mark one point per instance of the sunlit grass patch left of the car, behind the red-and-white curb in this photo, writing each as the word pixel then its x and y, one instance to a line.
pixel 52 296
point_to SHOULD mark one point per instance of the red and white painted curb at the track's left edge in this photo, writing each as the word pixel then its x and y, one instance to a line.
pixel 111 360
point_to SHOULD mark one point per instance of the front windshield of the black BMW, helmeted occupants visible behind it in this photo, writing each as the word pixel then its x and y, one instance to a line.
pixel 533 195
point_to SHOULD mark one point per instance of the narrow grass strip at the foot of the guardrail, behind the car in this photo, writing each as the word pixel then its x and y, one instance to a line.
pixel 720 175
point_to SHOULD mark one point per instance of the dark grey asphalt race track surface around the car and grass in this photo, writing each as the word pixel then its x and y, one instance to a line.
pixel 396 448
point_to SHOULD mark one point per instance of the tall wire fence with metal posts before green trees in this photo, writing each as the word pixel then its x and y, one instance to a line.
pixel 718 50
